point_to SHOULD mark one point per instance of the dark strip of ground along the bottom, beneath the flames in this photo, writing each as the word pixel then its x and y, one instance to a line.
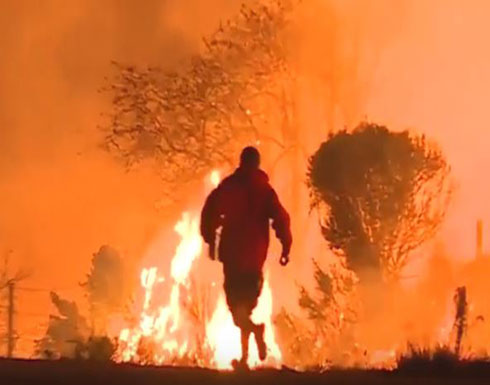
pixel 70 372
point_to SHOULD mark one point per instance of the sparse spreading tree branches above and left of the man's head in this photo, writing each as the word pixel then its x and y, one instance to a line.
pixel 190 120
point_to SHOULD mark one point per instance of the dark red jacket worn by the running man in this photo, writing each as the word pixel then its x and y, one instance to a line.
pixel 243 204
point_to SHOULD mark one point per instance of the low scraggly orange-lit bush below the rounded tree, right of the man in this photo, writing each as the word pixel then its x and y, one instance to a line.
pixel 325 337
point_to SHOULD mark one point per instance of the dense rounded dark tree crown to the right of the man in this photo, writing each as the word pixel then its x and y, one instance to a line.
pixel 381 194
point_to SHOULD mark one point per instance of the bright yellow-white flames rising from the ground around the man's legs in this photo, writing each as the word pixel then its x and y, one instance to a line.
pixel 165 333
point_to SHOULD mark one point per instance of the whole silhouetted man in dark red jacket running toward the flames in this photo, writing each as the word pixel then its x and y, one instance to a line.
pixel 243 206
